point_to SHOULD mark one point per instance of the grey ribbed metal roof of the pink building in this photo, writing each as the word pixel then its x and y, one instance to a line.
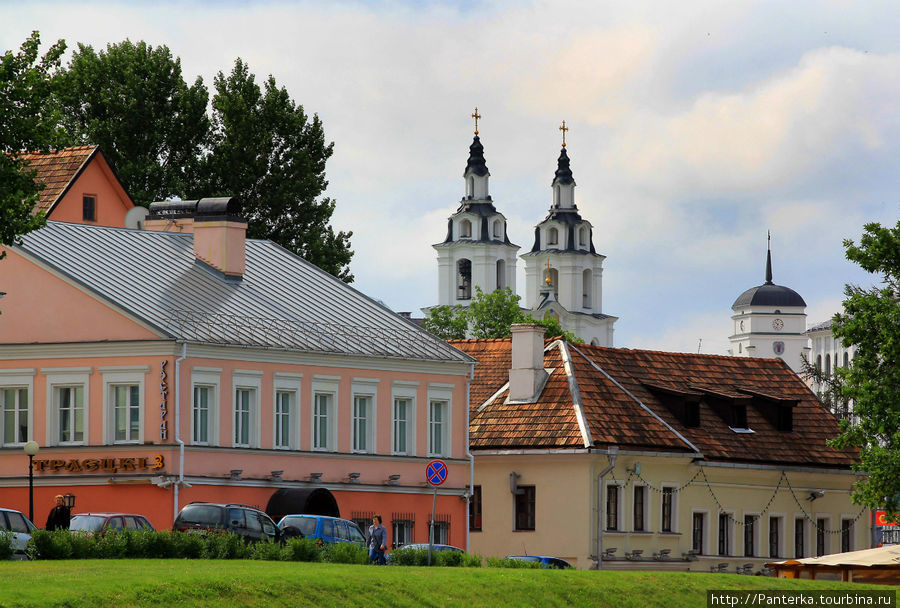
pixel 282 301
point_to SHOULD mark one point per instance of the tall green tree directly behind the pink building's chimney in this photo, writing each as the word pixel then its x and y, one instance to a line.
pixel 266 150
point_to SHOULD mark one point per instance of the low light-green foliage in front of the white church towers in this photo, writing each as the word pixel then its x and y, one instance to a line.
pixel 489 315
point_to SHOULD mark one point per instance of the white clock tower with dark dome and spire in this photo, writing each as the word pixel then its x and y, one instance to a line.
pixel 770 321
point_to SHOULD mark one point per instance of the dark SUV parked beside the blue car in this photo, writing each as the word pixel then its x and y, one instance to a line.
pixel 207 517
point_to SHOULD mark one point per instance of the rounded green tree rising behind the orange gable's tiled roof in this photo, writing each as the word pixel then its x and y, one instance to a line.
pixel 132 100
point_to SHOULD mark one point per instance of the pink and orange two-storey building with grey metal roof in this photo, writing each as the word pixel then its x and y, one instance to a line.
pixel 186 363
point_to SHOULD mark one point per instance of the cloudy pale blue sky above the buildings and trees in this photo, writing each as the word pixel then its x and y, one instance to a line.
pixel 695 128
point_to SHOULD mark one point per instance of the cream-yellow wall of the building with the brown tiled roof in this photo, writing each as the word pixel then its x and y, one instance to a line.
pixel 566 509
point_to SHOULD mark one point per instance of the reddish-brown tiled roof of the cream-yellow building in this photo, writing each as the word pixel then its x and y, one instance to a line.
pixel 624 395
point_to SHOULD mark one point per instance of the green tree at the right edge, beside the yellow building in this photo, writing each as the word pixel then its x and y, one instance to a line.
pixel 871 321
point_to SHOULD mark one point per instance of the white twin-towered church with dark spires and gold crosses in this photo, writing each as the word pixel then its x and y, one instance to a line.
pixel 563 272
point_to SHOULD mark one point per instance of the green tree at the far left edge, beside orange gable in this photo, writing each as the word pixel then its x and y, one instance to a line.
pixel 28 122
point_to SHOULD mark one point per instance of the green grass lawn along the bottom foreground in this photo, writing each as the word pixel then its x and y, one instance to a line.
pixel 167 583
